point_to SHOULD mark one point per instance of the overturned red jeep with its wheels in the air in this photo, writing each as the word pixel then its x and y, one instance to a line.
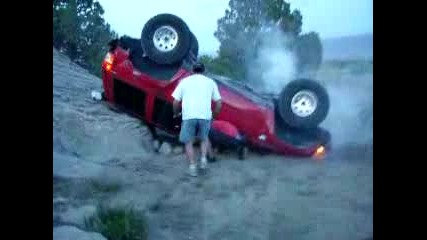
pixel 139 76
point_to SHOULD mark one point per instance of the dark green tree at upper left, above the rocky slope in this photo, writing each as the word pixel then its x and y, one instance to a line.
pixel 80 30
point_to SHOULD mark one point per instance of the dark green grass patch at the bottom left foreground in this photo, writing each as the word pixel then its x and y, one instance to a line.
pixel 119 223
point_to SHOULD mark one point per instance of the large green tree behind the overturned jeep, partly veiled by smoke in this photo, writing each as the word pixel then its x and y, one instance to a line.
pixel 247 23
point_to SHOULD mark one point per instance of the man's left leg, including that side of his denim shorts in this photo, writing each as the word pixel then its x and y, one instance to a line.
pixel 186 137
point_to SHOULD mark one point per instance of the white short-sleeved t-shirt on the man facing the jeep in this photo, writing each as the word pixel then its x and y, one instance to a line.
pixel 196 93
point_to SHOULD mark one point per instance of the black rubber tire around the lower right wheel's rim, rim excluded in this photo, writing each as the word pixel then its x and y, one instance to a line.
pixel 292 89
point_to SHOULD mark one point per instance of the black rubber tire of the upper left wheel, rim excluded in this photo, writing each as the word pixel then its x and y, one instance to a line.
pixel 181 48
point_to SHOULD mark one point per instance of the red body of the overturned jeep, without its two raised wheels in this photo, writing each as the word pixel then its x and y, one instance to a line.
pixel 250 115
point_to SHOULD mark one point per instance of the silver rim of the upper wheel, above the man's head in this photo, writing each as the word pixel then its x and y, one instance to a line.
pixel 165 38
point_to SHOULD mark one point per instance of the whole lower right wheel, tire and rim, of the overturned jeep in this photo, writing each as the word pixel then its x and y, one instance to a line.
pixel 303 103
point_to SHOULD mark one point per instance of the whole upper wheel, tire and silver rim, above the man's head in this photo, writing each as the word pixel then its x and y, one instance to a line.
pixel 165 39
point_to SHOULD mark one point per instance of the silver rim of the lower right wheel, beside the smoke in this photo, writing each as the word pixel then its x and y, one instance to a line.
pixel 304 103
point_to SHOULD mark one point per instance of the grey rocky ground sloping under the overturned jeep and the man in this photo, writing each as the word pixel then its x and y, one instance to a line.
pixel 101 156
